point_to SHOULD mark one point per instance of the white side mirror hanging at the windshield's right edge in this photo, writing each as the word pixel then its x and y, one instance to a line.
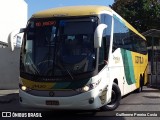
pixel 98 35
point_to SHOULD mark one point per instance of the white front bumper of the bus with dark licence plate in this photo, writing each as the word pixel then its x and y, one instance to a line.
pixel 84 101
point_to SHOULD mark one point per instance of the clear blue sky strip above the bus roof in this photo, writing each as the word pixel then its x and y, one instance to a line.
pixel 39 5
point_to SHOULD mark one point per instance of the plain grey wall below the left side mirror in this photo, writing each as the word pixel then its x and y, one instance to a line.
pixel 9 68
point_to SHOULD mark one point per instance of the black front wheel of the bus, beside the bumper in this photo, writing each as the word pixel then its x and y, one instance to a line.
pixel 115 98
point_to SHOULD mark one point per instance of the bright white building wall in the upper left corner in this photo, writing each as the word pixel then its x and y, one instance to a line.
pixel 13 16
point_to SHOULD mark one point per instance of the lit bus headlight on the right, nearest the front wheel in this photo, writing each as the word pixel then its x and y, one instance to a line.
pixel 88 87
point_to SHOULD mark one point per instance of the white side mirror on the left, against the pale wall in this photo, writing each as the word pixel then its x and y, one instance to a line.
pixel 14 36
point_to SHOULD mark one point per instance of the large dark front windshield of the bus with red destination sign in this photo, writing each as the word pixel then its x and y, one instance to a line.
pixel 58 47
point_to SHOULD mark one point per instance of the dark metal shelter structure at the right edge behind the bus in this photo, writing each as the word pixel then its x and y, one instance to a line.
pixel 153 41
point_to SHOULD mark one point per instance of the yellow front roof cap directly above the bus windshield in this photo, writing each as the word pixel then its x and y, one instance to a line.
pixel 71 11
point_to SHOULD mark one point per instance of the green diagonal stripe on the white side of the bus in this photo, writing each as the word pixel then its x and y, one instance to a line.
pixel 128 66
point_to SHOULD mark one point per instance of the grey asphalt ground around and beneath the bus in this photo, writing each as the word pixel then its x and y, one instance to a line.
pixel 139 104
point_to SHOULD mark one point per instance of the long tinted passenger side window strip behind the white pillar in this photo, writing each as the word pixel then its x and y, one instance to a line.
pixel 127 39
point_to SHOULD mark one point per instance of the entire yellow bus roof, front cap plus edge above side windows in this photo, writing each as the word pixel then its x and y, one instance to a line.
pixel 81 11
